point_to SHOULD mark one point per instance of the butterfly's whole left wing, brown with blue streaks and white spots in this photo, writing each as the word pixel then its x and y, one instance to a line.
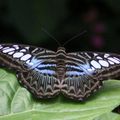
pixel 35 68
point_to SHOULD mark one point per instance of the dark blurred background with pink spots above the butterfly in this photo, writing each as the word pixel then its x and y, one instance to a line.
pixel 21 22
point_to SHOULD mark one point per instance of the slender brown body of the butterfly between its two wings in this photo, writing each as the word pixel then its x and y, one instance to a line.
pixel 60 59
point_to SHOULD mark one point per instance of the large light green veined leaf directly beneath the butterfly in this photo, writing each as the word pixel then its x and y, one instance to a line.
pixel 17 103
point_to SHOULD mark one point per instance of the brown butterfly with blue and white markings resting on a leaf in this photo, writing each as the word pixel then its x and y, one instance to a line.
pixel 46 73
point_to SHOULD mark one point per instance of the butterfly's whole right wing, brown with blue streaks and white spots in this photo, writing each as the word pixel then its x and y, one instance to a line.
pixel 85 72
